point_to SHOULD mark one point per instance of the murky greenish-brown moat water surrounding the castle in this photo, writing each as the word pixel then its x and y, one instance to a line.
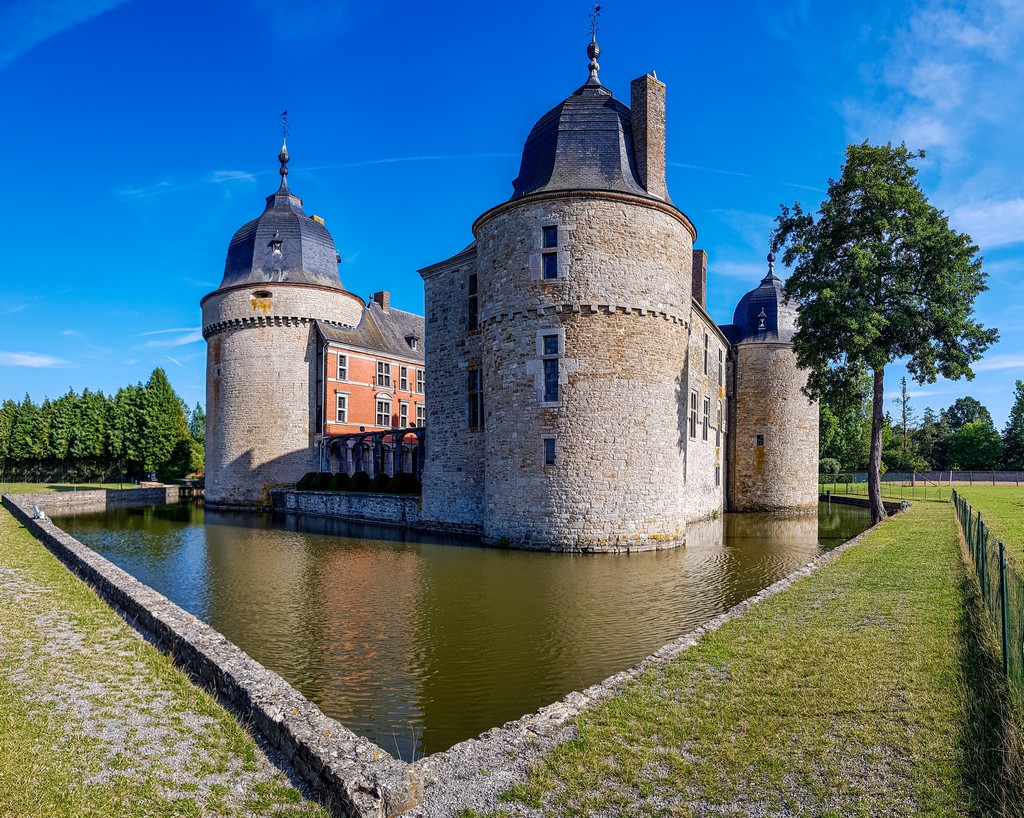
pixel 417 642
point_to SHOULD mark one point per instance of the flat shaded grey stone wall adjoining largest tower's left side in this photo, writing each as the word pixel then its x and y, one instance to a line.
pixel 453 469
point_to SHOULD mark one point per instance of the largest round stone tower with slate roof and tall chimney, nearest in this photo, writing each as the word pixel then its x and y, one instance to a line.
pixel 585 284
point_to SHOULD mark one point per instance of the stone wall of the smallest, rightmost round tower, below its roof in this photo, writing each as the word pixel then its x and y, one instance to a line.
pixel 782 475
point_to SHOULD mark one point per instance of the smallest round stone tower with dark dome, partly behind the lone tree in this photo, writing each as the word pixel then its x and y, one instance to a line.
pixel 775 427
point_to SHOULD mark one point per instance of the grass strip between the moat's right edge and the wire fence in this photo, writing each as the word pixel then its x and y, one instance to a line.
pixel 866 690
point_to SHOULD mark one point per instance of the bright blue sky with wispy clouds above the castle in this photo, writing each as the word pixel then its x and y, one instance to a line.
pixel 141 136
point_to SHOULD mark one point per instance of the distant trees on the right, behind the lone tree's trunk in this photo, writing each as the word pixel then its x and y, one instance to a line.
pixel 962 437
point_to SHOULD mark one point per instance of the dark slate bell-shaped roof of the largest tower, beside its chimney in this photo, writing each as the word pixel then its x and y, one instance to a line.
pixel 585 144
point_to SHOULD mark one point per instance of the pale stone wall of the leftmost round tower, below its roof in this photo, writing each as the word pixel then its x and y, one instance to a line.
pixel 262 405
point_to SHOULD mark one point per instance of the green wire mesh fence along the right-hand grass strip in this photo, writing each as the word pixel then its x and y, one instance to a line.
pixel 1002 589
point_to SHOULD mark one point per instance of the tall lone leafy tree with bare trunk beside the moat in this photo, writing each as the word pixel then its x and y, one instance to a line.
pixel 881 277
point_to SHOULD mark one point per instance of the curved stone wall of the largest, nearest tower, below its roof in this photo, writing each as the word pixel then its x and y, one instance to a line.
pixel 620 308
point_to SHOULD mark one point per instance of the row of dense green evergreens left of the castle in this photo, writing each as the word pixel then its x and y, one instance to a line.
pixel 143 429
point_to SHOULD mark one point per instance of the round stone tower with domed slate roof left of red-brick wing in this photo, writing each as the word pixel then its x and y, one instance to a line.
pixel 262 371
